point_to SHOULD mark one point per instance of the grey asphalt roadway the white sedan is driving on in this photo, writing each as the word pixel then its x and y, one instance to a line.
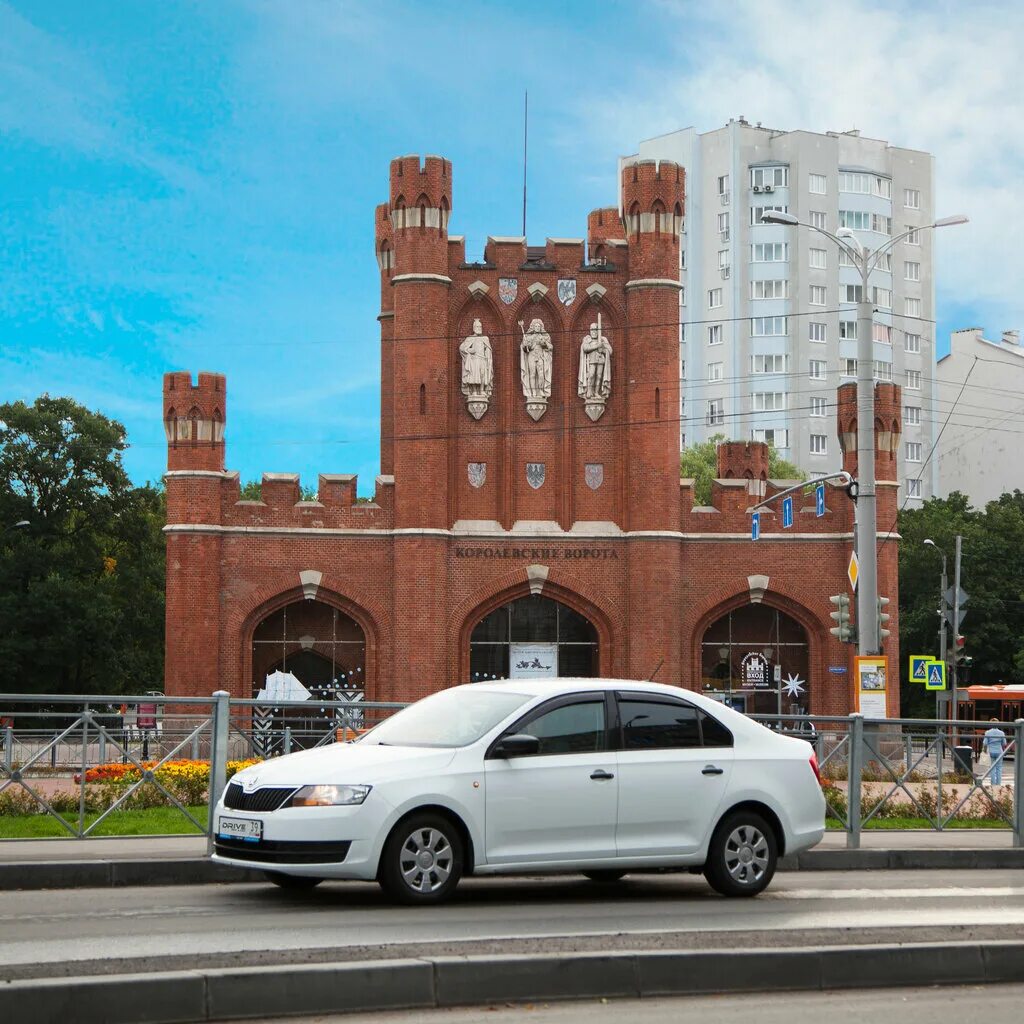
pixel 50 933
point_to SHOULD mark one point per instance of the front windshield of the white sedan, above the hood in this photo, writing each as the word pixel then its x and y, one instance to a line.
pixel 452 718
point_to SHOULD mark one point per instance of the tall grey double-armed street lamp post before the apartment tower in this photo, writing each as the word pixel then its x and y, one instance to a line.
pixel 866 534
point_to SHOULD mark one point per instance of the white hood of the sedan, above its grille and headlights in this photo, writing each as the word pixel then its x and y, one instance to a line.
pixel 346 763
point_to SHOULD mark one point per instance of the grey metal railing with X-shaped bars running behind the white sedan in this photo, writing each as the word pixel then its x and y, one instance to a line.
pixel 57 751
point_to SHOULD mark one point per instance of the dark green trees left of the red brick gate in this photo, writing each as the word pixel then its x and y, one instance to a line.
pixel 82 586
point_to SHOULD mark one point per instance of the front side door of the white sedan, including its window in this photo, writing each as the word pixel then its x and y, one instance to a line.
pixel 559 805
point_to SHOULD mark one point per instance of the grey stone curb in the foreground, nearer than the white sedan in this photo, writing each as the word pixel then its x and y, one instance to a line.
pixel 453 982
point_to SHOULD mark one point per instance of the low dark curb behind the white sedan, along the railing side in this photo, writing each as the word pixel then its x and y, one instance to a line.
pixel 200 871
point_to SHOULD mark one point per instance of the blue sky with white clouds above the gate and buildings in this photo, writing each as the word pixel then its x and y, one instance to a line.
pixel 192 185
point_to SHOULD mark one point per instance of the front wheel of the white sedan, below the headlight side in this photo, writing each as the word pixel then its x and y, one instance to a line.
pixel 422 861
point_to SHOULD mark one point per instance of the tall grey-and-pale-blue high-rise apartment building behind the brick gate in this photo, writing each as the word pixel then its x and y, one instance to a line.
pixel 770 313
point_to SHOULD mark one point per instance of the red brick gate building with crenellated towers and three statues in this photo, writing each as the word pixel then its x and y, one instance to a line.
pixel 530 515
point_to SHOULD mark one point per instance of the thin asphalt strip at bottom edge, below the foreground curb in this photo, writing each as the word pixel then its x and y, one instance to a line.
pixel 969 1005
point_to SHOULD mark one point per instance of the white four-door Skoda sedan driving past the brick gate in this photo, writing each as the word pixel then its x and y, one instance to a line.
pixel 598 777
